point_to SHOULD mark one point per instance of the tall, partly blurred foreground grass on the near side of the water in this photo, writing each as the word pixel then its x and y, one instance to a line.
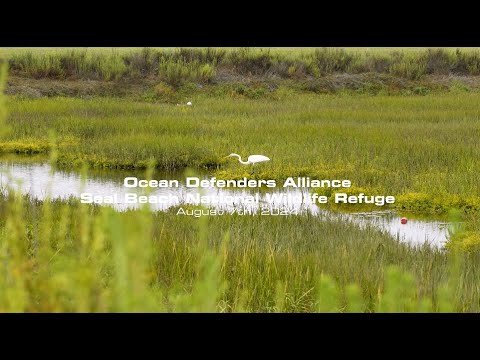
pixel 65 256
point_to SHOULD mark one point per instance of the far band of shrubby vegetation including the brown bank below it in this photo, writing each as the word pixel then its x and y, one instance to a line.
pixel 165 75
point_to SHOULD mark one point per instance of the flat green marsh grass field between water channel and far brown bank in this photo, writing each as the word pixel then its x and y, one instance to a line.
pixel 424 150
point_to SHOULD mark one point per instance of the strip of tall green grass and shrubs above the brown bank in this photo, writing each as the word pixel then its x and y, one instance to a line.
pixel 201 64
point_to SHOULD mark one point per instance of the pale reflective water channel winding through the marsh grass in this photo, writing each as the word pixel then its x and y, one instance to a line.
pixel 37 180
